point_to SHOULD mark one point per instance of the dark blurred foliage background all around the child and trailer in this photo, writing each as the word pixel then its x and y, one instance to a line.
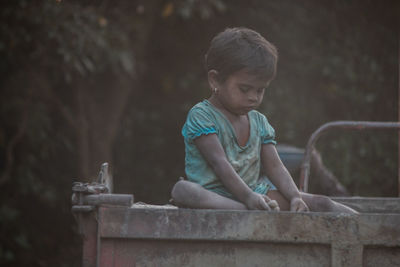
pixel 84 82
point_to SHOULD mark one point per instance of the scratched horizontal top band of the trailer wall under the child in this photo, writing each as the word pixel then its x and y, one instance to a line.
pixel 323 228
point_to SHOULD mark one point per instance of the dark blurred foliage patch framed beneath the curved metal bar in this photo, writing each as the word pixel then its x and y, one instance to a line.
pixel 365 162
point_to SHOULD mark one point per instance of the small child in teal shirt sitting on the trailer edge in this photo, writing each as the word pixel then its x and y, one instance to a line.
pixel 229 145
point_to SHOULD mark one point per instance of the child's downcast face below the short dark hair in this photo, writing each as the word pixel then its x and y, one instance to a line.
pixel 242 92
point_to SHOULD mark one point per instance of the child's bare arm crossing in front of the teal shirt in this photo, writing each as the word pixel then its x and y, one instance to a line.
pixel 213 152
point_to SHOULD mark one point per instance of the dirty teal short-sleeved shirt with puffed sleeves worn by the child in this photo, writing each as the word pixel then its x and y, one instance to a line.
pixel 204 119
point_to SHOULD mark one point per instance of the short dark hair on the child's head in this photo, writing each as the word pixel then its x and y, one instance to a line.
pixel 241 48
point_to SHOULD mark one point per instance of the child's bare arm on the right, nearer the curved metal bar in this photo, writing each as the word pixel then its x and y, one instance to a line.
pixel 280 177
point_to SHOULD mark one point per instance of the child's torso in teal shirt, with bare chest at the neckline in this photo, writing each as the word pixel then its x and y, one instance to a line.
pixel 241 140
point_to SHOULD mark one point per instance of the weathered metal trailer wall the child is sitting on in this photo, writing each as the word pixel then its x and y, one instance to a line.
pixel 126 236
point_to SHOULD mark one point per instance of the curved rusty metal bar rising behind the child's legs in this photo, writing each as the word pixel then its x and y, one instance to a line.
pixel 351 125
